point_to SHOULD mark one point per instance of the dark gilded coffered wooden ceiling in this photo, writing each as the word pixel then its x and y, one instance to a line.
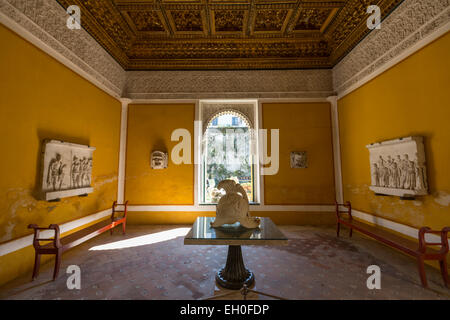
pixel 227 34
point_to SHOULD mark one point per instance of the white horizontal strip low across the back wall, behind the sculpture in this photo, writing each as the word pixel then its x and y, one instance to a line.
pixel 212 208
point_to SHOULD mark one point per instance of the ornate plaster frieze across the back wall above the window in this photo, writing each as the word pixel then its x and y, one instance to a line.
pixel 228 84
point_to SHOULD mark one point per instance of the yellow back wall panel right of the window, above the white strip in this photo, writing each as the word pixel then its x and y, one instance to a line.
pixel 303 127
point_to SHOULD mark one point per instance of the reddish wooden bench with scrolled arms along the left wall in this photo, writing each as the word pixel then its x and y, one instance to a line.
pixel 58 245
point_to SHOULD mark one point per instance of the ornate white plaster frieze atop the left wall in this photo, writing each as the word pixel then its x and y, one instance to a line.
pixel 45 23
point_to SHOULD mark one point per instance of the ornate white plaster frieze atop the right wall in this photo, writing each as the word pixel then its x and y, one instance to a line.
pixel 413 22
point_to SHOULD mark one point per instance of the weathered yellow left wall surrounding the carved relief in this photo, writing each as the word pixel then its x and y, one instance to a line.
pixel 41 98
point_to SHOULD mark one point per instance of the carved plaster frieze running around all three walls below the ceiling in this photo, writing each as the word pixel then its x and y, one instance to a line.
pixel 43 22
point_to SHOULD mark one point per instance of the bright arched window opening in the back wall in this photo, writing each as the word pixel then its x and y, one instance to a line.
pixel 227 154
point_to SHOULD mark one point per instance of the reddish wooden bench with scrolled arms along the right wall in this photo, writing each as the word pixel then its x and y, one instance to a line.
pixel 421 251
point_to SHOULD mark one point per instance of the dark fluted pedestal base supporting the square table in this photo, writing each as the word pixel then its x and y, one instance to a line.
pixel 234 275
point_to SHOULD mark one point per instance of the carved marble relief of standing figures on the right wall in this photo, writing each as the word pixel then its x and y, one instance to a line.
pixel 398 167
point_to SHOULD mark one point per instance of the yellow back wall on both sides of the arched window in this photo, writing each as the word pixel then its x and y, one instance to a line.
pixel 302 127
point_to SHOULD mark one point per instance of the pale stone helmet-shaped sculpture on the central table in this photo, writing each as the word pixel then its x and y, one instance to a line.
pixel 234 207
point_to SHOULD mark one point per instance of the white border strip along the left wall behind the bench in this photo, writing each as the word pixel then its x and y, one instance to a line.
pixel 26 241
